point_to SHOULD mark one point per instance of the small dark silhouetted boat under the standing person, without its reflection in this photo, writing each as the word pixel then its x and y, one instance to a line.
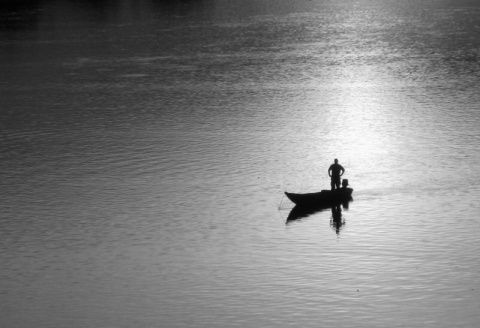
pixel 324 198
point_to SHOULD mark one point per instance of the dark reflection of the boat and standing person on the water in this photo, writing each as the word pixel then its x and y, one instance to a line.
pixel 336 222
